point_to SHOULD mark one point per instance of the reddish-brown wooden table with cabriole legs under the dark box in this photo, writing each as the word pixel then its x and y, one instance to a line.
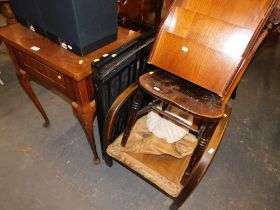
pixel 37 57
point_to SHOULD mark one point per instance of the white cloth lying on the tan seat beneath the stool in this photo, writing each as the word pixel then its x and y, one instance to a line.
pixel 166 129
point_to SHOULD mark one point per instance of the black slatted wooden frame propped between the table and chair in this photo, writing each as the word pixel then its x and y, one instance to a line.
pixel 111 75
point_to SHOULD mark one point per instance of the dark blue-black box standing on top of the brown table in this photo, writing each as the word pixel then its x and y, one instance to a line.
pixel 80 26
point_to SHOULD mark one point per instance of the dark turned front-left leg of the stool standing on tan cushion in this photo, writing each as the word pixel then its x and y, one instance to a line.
pixel 136 103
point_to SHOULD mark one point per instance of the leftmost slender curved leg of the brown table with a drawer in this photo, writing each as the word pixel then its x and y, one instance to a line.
pixel 24 81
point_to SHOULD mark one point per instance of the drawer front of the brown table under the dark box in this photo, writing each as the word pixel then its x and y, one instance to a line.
pixel 39 68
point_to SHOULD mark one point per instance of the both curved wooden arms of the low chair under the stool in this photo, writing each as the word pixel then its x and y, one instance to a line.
pixel 199 168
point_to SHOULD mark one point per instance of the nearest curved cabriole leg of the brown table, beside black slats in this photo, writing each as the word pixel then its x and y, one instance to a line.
pixel 86 113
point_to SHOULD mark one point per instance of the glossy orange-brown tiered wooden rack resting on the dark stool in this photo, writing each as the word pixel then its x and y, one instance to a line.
pixel 206 42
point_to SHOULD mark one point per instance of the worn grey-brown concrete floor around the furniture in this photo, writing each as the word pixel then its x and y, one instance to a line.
pixel 51 169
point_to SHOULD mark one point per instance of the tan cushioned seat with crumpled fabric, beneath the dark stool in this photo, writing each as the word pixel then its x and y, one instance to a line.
pixel 154 158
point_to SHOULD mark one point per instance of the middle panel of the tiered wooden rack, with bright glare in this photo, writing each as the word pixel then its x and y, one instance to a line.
pixel 211 32
